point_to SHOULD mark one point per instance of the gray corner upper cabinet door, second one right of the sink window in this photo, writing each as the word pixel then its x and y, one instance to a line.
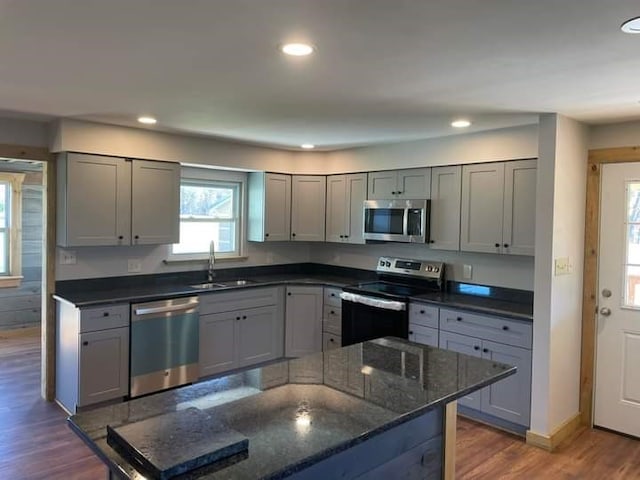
pixel 308 193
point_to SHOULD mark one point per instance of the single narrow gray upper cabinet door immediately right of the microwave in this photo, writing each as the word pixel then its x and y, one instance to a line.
pixel 446 190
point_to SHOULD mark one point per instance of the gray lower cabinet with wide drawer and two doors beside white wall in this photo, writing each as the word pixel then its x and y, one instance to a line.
pixel 499 339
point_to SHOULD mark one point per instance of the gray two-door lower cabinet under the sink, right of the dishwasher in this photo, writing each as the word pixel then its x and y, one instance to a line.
pixel 232 337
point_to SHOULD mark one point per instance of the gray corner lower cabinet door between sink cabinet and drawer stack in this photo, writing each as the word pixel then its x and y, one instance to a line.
pixel 303 324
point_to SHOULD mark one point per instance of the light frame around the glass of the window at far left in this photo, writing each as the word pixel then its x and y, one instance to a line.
pixel 14 276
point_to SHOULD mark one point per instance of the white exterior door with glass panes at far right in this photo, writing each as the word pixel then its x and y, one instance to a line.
pixel 617 379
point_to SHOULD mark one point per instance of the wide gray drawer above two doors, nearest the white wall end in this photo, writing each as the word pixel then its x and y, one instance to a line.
pixel 496 329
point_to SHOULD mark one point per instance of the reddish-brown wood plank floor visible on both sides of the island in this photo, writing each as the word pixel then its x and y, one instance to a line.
pixel 35 442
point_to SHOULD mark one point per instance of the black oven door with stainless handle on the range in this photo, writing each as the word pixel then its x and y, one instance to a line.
pixel 365 318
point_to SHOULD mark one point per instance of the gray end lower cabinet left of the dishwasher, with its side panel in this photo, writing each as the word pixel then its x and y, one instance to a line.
pixel 92 354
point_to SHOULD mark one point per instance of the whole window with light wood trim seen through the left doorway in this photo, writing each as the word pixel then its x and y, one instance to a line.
pixel 10 228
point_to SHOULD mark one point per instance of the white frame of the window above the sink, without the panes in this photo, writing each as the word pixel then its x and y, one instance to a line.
pixel 204 175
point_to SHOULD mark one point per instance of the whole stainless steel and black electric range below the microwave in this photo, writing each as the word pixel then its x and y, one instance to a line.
pixel 378 309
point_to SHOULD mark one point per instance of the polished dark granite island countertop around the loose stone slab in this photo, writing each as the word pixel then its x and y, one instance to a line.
pixel 298 412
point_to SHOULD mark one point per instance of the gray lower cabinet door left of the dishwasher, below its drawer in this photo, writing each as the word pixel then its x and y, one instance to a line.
pixel 104 365
